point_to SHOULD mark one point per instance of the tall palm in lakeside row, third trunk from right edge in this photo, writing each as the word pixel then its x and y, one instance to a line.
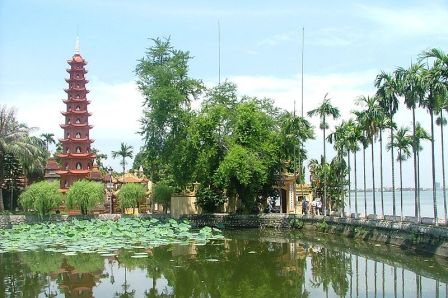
pixel 410 88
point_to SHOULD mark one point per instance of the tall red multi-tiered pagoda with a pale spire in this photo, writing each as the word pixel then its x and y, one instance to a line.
pixel 76 157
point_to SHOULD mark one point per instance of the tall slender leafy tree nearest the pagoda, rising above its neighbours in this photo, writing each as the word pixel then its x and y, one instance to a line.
pixel 163 80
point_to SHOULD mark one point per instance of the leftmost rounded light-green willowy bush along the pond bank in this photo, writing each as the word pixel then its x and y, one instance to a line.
pixel 42 197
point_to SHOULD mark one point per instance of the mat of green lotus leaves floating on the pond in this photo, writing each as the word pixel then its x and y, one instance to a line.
pixel 100 236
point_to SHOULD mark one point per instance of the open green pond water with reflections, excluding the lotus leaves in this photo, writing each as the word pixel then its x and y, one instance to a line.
pixel 248 263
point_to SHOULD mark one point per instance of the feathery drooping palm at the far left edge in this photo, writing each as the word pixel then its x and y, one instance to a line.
pixel 15 140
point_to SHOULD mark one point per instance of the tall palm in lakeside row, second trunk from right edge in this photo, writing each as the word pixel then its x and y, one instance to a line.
pixel 435 91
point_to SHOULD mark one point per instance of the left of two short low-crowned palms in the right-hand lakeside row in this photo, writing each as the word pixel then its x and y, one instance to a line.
pixel 403 143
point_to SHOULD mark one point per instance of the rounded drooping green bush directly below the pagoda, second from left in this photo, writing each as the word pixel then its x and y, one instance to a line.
pixel 85 195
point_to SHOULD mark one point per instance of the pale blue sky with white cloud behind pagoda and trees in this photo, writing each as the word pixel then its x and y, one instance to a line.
pixel 346 44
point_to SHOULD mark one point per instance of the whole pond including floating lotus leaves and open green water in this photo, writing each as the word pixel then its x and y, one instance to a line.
pixel 149 258
